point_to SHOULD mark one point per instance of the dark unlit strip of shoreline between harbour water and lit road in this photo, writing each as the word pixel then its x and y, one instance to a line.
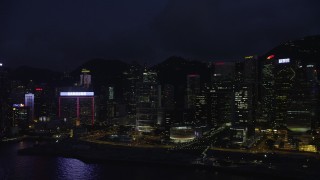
pixel 157 157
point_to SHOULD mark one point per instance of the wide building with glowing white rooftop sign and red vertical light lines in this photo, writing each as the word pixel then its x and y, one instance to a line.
pixel 77 108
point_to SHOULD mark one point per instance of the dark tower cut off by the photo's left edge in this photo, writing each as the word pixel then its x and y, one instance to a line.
pixel 4 98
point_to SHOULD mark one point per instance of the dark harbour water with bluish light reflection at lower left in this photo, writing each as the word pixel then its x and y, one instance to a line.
pixel 13 166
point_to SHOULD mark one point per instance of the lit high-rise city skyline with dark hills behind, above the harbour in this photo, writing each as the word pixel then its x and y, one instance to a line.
pixel 257 115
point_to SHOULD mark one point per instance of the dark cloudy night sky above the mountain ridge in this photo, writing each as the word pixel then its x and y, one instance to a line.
pixel 62 34
